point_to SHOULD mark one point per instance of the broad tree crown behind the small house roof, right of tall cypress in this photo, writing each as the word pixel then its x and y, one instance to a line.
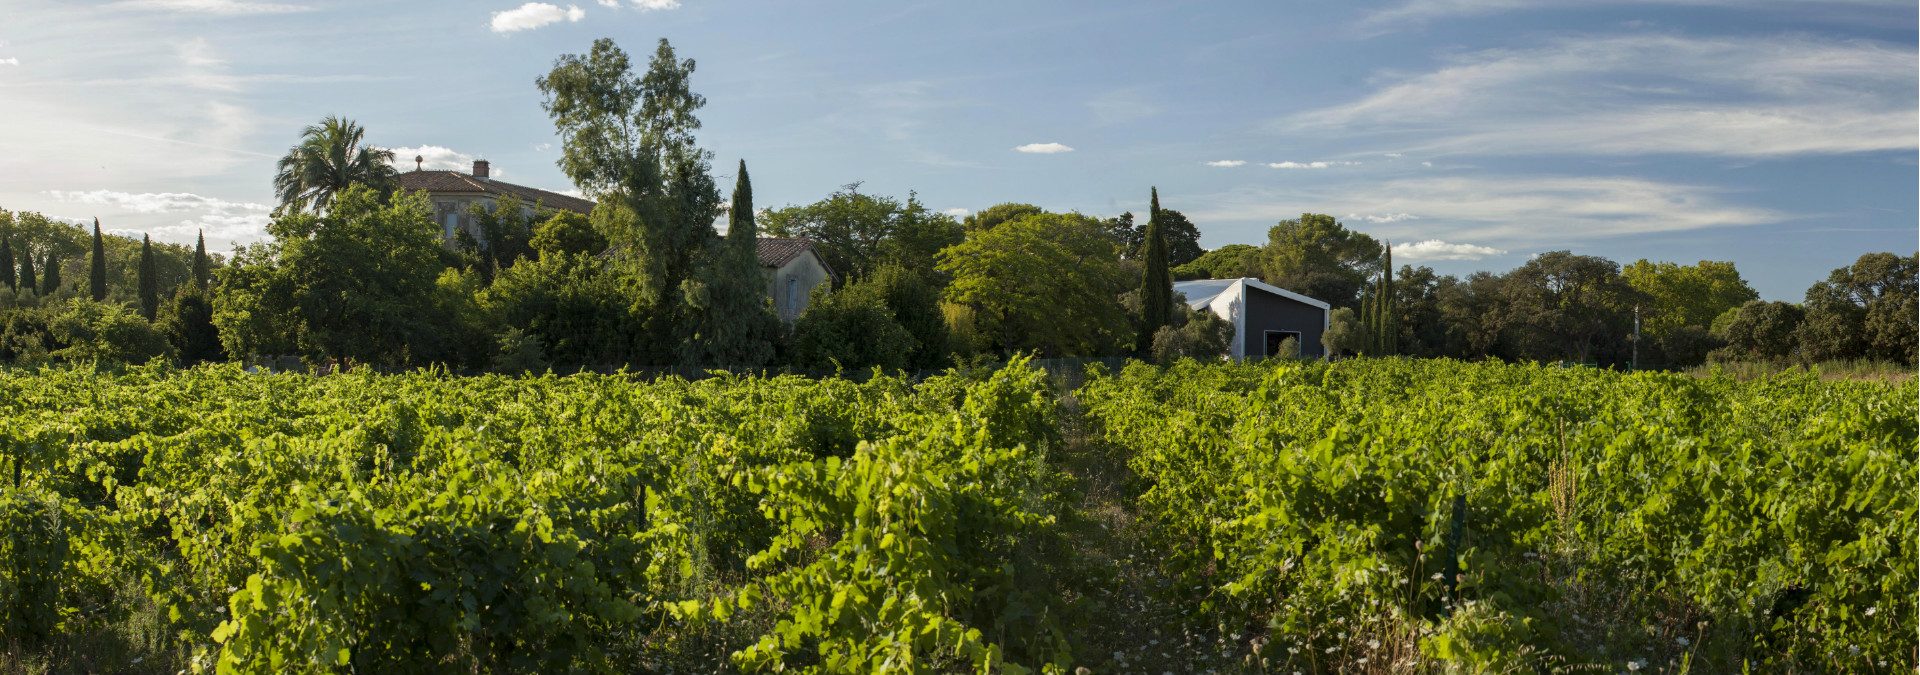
pixel 859 233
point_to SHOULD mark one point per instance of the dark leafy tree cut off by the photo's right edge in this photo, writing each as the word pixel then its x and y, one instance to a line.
pixel 1865 312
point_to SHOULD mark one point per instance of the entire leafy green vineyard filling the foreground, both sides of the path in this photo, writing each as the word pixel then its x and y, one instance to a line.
pixel 1293 517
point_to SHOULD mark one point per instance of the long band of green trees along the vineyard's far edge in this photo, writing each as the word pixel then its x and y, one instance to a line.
pixel 356 273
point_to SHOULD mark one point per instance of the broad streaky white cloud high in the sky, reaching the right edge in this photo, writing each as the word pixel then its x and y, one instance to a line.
pixel 1646 95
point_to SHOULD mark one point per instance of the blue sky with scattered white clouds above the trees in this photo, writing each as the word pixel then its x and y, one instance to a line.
pixel 1472 133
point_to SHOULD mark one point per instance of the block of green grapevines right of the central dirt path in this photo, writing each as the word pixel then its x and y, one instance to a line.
pixel 1593 519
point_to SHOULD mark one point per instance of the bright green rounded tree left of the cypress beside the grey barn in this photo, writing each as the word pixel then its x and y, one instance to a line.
pixel 1045 283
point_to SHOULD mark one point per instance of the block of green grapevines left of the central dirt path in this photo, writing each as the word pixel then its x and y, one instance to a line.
pixel 423 523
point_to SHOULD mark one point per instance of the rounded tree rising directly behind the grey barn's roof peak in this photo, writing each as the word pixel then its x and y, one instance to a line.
pixel 1320 258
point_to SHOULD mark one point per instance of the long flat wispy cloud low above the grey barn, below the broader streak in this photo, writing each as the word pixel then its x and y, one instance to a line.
pixel 1500 210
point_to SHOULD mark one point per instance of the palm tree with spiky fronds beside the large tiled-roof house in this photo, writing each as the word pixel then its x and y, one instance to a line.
pixel 329 158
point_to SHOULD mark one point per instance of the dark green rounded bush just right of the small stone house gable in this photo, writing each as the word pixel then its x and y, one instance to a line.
pixel 852 329
